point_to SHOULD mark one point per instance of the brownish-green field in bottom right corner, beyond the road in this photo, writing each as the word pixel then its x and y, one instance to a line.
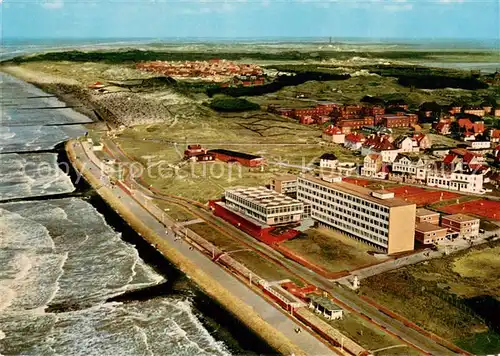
pixel 440 291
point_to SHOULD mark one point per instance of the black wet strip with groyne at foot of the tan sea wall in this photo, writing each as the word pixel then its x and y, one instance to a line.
pixel 226 328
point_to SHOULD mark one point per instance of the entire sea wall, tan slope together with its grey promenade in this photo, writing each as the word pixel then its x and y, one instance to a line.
pixel 263 318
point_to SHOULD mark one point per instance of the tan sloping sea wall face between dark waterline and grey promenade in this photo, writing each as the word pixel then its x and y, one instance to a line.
pixel 211 287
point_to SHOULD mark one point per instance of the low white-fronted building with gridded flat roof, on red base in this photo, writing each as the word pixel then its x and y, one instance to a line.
pixel 264 205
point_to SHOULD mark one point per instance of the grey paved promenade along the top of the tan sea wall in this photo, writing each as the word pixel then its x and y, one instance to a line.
pixel 306 341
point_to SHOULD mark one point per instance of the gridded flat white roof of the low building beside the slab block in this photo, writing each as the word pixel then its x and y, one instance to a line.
pixel 262 196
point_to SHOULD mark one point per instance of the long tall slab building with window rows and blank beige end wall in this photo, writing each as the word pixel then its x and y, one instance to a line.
pixel 374 217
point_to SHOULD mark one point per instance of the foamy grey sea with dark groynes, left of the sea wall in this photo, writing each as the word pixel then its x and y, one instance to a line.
pixel 74 279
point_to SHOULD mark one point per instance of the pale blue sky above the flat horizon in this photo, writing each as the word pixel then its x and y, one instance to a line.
pixel 376 19
